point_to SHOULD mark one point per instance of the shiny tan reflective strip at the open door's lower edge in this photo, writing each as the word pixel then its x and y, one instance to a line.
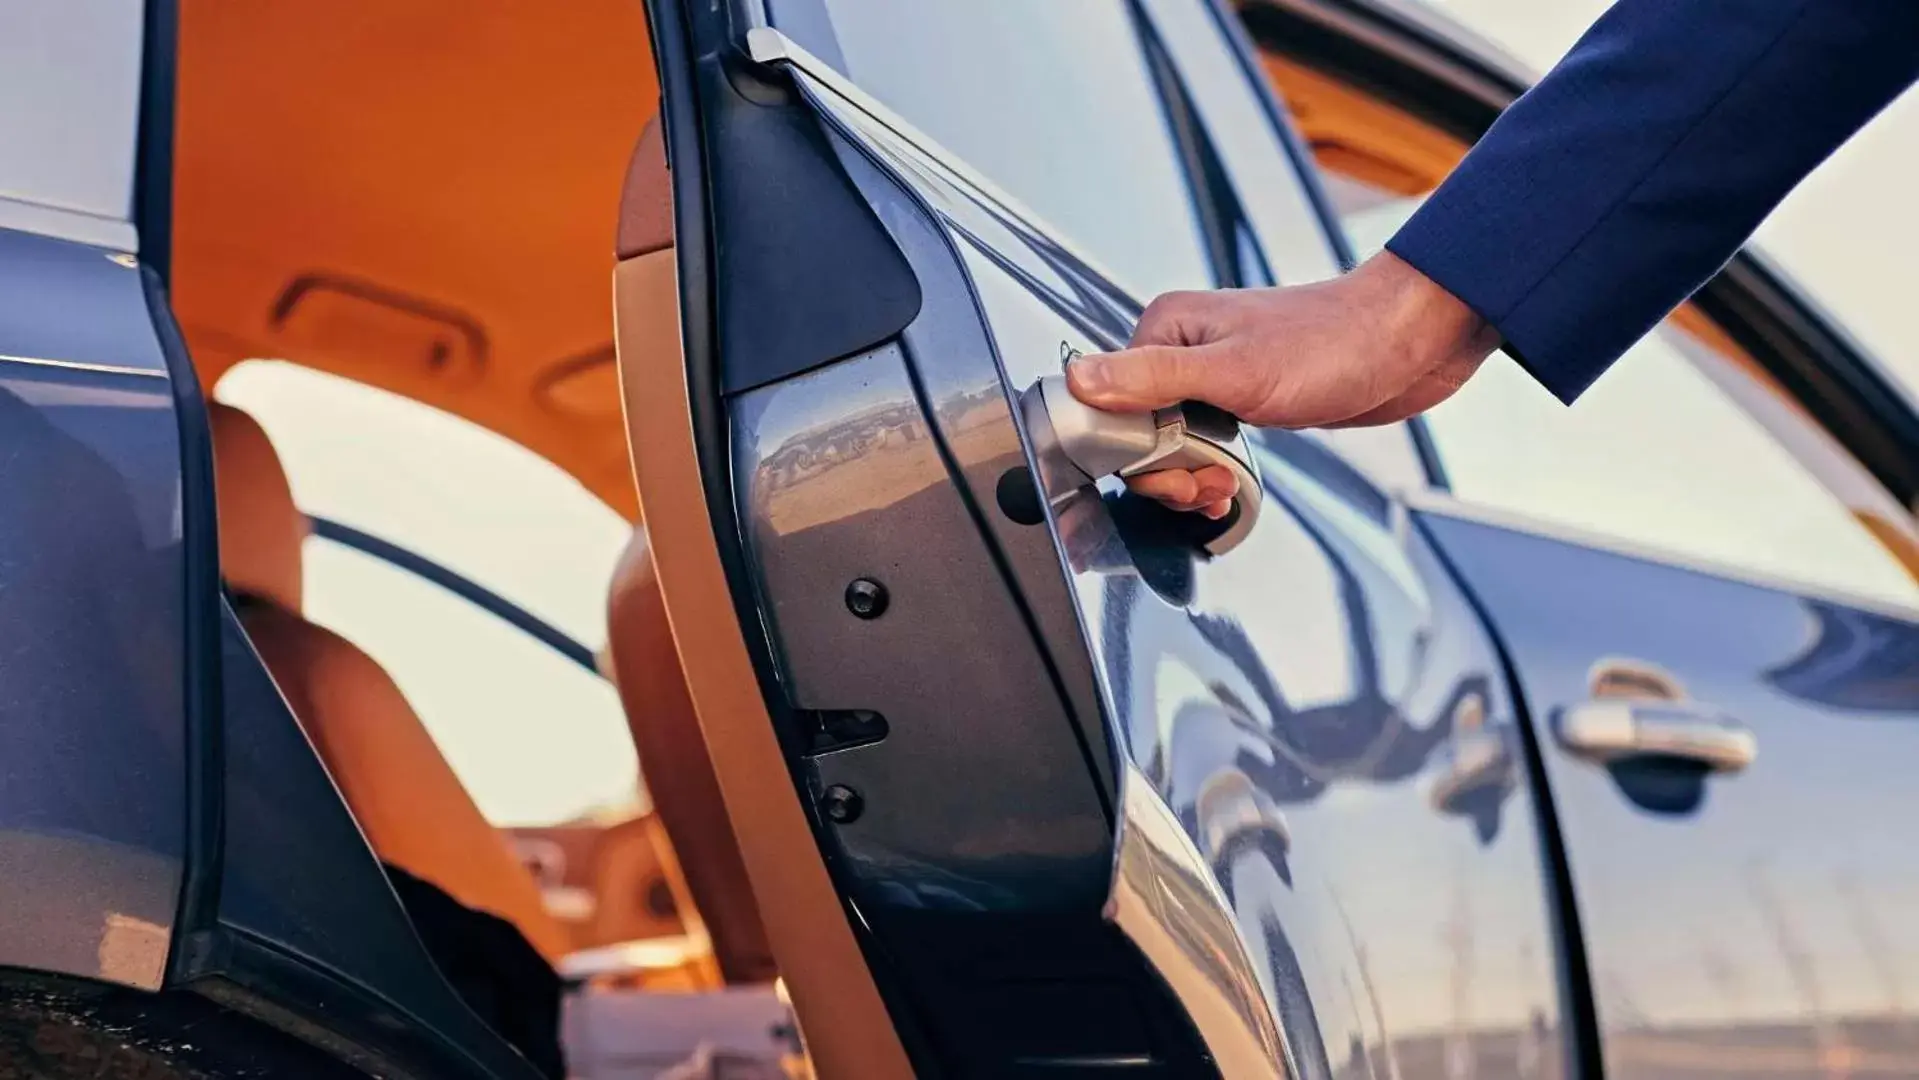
pixel 1168 903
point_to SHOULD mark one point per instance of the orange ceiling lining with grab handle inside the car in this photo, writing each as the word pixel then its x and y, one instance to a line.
pixel 417 197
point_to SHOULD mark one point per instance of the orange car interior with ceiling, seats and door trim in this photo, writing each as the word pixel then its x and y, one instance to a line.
pixel 427 199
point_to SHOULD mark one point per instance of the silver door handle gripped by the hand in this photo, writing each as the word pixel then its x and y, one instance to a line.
pixel 1079 444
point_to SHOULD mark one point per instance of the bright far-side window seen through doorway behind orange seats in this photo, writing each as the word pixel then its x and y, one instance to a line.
pixel 534 738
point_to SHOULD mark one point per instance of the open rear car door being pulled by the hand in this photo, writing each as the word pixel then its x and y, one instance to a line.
pixel 1008 753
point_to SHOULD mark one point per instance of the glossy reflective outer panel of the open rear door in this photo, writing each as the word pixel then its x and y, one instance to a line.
pixel 1319 711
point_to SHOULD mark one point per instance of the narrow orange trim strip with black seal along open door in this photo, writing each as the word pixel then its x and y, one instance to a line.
pixel 667 319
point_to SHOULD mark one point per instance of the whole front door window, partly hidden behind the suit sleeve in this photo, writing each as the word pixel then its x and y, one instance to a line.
pixel 1686 446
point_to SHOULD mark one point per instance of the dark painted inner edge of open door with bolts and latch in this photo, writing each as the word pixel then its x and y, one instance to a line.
pixel 983 849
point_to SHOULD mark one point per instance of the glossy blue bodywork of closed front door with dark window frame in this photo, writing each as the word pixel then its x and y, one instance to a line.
pixel 1759 931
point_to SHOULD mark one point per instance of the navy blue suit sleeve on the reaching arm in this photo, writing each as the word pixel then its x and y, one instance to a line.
pixel 1636 170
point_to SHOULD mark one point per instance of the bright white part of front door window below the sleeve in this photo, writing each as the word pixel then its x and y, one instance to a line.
pixel 1661 454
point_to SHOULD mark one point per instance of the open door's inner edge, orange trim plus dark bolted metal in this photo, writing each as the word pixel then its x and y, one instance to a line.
pixel 859 621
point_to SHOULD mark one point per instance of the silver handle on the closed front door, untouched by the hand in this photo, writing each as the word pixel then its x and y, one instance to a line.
pixel 1615 730
